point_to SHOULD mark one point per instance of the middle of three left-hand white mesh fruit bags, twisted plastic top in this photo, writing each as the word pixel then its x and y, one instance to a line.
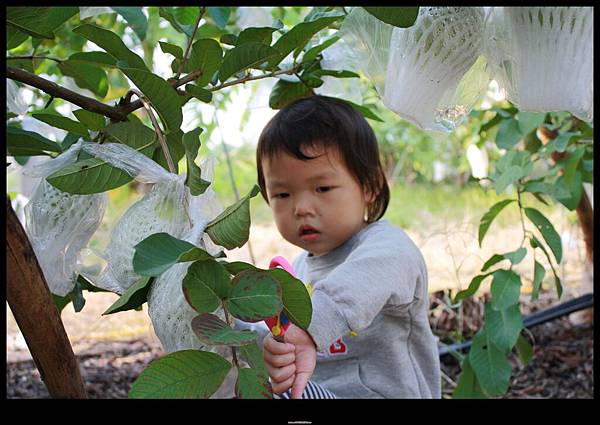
pixel 163 209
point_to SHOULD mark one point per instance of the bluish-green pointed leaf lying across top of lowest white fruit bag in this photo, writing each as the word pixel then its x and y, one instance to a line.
pixel 158 252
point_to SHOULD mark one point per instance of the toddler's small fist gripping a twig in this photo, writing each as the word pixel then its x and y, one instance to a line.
pixel 290 364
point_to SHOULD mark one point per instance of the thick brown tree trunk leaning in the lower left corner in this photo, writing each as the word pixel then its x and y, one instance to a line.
pixel 39 320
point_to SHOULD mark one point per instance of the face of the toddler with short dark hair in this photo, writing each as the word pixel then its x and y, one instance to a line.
pixel 317 204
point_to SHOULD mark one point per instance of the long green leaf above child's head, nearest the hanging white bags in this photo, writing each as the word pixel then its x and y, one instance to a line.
pixel 300 34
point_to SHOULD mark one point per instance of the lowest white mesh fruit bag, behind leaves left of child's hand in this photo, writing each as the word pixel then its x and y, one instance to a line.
pixel 170 313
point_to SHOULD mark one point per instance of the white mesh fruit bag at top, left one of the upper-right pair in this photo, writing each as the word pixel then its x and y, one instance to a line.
pixel 431 73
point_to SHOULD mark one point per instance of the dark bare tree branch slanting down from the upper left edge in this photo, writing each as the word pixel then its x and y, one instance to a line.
pixel 55 90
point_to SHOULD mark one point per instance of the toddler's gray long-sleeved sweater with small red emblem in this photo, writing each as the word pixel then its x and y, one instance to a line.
pixel 370 324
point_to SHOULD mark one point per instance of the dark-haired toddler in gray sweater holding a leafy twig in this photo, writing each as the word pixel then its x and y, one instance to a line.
pixel 319 171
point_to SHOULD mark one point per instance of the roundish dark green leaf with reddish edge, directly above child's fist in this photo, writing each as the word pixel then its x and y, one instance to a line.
pixel 254 296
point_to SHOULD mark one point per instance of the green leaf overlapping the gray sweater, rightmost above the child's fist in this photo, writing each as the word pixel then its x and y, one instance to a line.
pixel 297 305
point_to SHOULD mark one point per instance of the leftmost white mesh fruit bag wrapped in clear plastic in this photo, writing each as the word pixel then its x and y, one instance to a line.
pixel 60 224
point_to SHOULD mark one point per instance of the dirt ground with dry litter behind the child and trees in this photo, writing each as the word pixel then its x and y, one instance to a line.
pixel 114 349
